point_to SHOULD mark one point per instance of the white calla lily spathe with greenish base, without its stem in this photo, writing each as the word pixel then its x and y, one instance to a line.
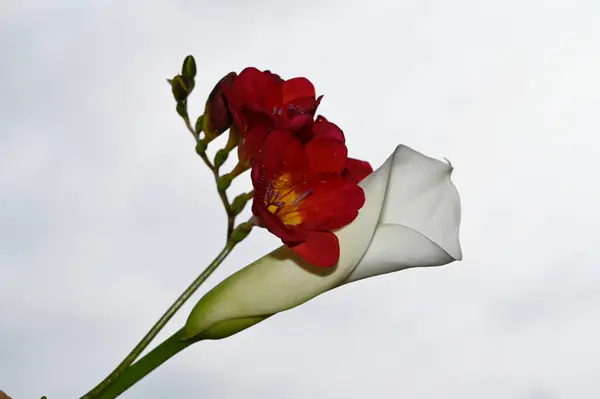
pixel 411 218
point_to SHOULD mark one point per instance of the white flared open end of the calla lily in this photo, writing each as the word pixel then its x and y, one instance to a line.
pixel 420 220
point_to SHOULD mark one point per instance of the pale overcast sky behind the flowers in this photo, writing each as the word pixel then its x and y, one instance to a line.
pixel 107 213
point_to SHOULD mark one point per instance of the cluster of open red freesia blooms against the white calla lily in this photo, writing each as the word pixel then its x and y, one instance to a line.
pixel 305 185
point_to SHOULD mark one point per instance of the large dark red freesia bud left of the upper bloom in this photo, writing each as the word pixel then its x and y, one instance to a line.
pixel 217 117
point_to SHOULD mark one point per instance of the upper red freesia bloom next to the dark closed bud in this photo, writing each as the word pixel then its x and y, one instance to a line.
pixel 262 101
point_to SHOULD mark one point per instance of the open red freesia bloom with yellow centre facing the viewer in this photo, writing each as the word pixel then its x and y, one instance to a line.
pixel 300 193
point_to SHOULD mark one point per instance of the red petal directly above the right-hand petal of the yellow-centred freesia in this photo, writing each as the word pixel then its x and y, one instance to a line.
pixel 326 156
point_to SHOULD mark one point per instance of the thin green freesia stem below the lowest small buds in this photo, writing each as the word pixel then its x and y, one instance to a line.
pixel 143 344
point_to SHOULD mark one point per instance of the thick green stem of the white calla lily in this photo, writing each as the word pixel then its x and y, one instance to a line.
pixel 163 352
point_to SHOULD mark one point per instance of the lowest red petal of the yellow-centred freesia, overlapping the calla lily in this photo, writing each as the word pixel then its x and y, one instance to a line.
pixel 320 248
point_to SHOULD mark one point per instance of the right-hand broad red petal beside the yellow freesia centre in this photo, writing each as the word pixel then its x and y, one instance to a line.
pixel 333 202
